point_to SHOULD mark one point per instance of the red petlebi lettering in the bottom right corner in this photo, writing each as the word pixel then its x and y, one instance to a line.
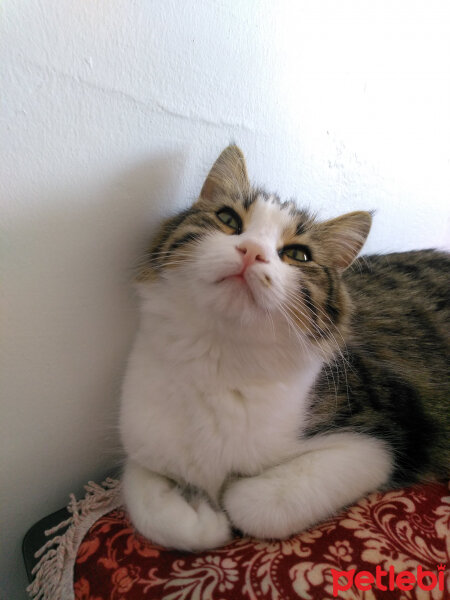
pixel 388 580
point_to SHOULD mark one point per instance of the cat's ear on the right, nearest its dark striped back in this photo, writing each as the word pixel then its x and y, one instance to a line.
pixel 342 238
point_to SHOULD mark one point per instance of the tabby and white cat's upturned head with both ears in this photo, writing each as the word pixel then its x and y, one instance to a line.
pixel 240 254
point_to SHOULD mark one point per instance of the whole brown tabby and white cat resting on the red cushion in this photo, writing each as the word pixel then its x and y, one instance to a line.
pixel 270 383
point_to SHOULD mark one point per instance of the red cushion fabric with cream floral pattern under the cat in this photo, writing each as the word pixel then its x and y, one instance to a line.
pixel 402 530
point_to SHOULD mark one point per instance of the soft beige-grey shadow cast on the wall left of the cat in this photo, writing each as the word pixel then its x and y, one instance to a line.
pixel 71 320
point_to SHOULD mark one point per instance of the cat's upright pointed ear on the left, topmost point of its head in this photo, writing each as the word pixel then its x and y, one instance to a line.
pixel 228 175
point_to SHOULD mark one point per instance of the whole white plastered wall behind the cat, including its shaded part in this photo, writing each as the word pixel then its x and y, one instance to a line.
pixel 111 114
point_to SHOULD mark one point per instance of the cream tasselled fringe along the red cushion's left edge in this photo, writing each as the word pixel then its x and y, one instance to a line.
pixel 53 575
